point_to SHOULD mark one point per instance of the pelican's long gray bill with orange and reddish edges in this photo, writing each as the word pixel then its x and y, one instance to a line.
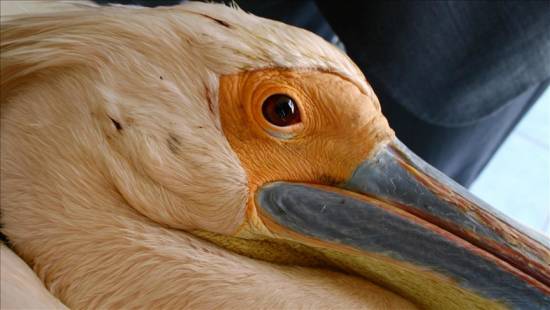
pixel 398 209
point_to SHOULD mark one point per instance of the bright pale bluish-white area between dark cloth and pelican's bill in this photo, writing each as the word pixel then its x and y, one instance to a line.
pixel 517 178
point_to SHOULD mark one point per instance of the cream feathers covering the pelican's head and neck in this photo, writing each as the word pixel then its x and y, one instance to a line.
pixel 97 211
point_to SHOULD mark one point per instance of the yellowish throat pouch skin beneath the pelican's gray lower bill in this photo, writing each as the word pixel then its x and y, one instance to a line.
pixel 428 288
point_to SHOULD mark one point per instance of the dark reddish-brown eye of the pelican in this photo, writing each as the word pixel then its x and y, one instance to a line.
pixel 281 110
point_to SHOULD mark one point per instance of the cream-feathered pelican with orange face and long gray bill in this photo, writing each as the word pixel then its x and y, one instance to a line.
pixel 201 157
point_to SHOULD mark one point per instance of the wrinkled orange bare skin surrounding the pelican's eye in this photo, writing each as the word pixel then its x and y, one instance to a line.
pixel 340 126
